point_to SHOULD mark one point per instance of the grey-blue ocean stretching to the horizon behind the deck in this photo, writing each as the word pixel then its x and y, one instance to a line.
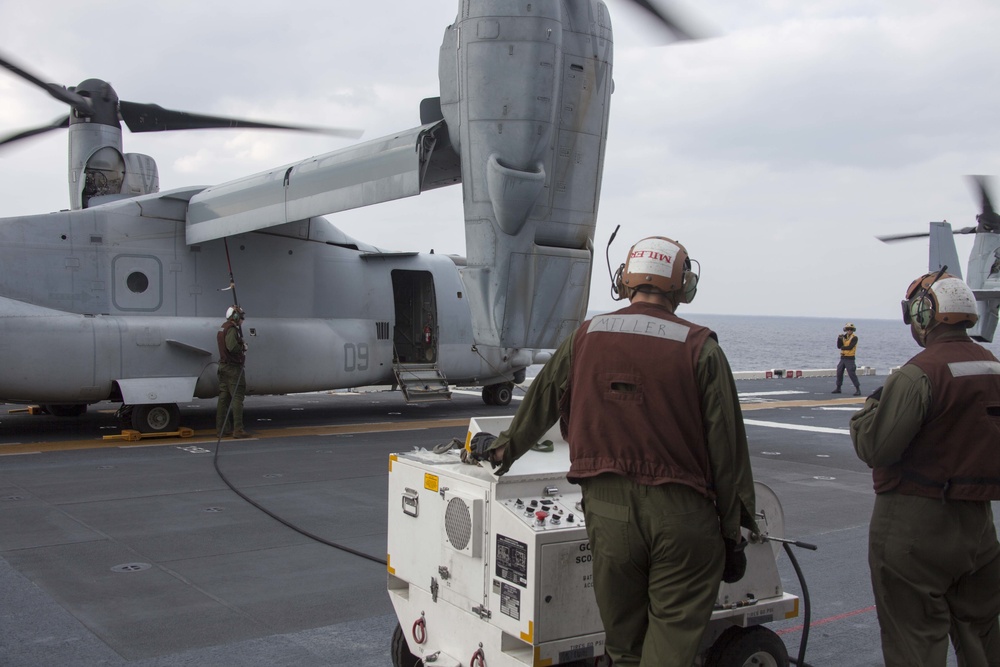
pixel 761 343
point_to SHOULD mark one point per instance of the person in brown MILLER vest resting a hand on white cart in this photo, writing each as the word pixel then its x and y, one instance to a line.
pixel 648 405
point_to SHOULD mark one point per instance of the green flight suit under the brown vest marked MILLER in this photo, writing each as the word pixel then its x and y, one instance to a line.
pixel 658 551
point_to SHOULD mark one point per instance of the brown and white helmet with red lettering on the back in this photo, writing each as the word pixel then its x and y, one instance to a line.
pixel 661 263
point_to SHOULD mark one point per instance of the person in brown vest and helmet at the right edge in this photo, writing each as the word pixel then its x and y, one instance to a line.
pixel 932 436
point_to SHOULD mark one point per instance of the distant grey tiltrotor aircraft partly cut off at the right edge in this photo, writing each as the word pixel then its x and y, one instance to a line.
pixel 983 274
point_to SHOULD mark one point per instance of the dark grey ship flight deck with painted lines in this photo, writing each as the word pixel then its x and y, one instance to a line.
pixel 138 553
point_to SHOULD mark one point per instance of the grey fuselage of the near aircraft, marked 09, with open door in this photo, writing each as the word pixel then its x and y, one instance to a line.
pixel 110 302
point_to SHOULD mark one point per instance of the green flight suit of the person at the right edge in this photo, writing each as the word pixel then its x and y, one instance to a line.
pixel 935 566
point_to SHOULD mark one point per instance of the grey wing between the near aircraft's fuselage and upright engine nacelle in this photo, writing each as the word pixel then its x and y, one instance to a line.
pixel 375 171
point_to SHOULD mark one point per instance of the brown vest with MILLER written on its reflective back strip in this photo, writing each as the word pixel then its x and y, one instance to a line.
pixel 611 369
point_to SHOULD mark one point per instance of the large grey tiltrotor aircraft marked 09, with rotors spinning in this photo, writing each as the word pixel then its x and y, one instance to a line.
pixel 118 298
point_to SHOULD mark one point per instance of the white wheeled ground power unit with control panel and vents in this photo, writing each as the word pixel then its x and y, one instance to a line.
pixel 496 571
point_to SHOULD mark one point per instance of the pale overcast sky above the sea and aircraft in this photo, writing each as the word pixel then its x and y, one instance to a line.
pixel 775 152
